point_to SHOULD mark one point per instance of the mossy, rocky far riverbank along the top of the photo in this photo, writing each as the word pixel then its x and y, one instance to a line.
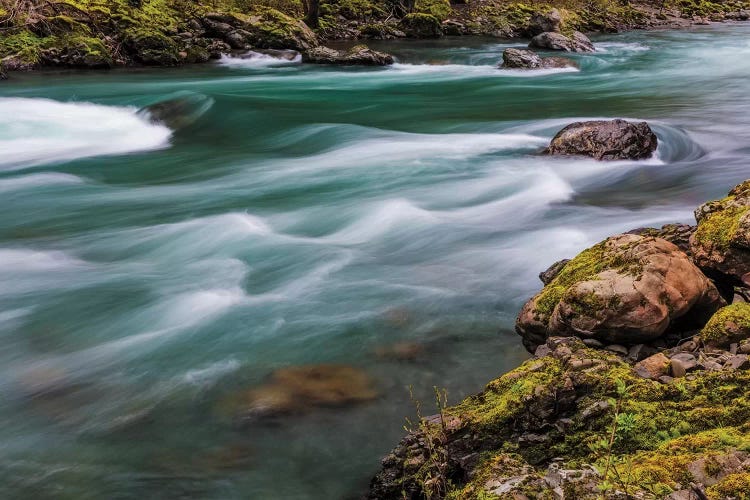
pixel 96 34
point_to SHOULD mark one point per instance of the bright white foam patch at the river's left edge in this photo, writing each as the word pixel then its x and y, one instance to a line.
pixel 42 131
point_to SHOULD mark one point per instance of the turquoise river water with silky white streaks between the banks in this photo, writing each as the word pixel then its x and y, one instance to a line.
pixel 297 215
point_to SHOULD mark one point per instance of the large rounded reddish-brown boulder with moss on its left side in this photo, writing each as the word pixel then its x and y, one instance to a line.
pixel 625 290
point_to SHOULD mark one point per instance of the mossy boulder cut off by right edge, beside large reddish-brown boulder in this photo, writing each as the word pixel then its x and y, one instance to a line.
pixel 721 243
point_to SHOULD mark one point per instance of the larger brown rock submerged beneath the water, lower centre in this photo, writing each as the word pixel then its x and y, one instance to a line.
pixel 301 388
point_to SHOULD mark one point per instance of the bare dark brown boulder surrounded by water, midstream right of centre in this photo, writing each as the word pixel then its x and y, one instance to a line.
pixel 605 140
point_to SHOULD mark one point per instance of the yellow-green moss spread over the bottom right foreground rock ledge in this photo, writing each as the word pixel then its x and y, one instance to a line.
pixel 674 424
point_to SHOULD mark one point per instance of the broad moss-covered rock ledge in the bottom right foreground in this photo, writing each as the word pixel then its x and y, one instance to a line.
pixel 533 431
